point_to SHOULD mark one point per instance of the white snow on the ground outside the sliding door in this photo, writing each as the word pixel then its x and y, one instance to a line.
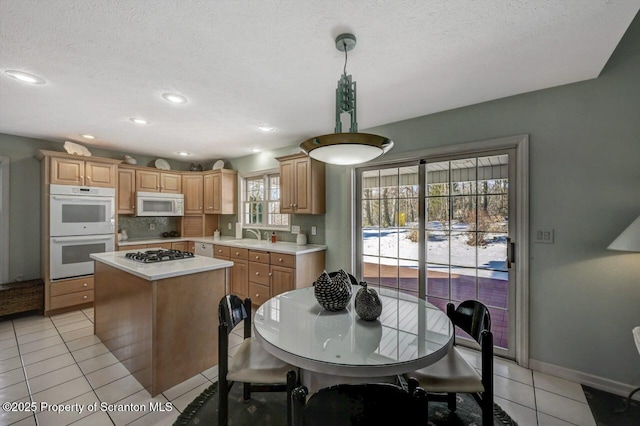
pixel 395 248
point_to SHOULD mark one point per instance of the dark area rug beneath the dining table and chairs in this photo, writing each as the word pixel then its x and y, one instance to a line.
pixel 269 408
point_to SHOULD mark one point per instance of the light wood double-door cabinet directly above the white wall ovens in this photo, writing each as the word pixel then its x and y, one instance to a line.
pixel 72 171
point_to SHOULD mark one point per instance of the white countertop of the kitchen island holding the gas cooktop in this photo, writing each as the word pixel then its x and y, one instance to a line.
pixel 160 270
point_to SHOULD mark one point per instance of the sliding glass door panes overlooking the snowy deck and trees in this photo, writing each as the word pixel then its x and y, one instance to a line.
pixel 440 229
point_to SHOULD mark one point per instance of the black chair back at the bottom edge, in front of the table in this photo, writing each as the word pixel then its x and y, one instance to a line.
pixel 361 404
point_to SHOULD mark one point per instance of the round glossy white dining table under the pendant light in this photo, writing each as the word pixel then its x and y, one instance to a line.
pixel 410 334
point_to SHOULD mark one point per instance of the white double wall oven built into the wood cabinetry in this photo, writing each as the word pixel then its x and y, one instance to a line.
pixel 81 222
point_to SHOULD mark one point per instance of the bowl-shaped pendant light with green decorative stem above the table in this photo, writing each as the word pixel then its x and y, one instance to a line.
pixel 352 147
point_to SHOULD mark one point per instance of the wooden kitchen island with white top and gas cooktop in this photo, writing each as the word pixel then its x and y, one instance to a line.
pixel 160 320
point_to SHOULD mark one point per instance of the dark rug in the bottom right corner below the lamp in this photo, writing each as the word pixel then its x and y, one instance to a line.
pixel 604 405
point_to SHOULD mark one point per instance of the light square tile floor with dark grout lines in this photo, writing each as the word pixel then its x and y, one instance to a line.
pixel 58 360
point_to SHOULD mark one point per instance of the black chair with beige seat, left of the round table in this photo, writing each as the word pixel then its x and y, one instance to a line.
pixel 257 369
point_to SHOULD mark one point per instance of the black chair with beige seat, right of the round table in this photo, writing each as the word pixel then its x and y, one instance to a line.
pixel 453 373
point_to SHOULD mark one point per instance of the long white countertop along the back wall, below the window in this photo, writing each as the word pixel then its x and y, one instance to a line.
pixel 248 243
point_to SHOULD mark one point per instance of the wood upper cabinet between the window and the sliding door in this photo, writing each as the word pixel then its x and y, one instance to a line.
pixel 302 185
